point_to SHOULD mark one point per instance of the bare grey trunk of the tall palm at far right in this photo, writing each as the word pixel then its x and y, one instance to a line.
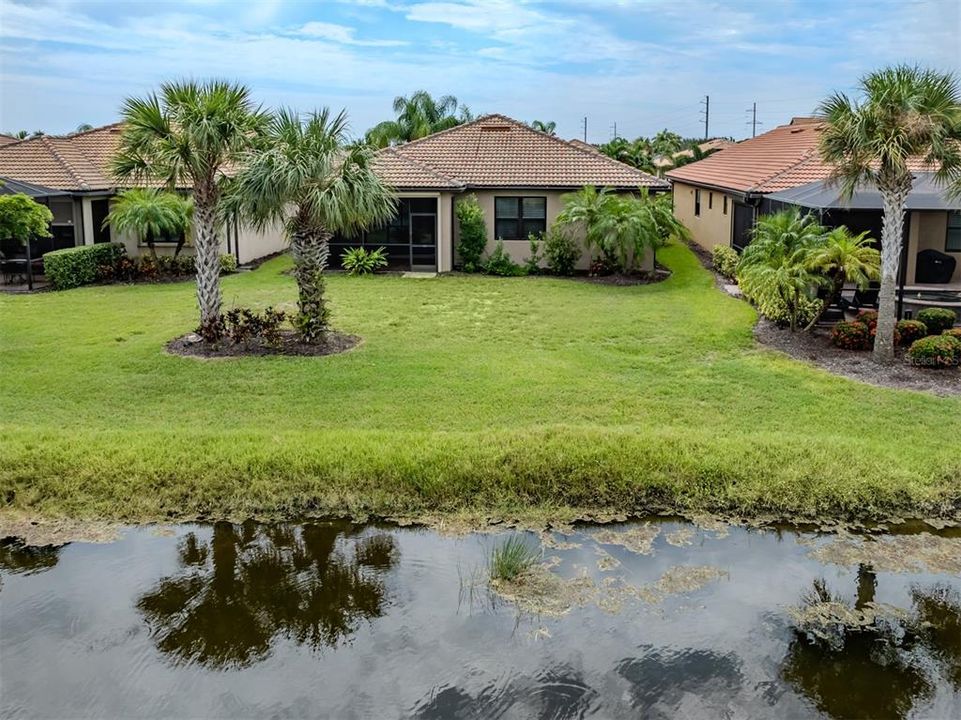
pixel 892 236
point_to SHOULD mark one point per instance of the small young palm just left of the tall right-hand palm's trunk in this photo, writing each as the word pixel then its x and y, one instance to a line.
pixel 845 258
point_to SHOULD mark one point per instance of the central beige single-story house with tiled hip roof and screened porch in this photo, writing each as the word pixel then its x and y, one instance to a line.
pixel 517 174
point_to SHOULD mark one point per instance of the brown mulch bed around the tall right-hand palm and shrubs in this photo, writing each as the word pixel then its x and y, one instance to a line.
pixel 815 347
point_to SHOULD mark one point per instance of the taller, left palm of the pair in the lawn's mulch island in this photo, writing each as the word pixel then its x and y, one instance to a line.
pixel 186 137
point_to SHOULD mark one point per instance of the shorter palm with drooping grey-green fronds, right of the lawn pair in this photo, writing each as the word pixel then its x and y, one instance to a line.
pixel 307 176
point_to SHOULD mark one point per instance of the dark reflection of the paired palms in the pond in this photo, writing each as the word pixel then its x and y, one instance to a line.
pixel 254 583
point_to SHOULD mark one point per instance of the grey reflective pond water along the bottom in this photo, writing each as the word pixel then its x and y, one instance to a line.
pixel 333 619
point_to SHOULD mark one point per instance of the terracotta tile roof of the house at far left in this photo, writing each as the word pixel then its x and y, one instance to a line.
pixel 72 162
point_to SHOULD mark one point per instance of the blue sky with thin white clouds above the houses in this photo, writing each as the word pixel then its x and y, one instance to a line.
pixel 643 64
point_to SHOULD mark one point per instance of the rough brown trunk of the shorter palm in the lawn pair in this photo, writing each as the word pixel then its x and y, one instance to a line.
pixel 310 250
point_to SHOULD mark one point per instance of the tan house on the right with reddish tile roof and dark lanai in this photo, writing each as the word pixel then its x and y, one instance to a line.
pixel 720 197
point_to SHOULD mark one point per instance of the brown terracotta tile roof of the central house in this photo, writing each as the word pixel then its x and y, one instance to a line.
pixel 500 152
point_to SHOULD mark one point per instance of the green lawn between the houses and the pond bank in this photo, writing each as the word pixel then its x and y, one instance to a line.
pixel 468 394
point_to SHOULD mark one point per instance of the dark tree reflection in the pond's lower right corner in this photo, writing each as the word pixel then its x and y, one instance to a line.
pixel 880 671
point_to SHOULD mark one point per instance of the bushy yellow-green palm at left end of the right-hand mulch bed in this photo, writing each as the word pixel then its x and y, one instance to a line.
pixel 774 270
